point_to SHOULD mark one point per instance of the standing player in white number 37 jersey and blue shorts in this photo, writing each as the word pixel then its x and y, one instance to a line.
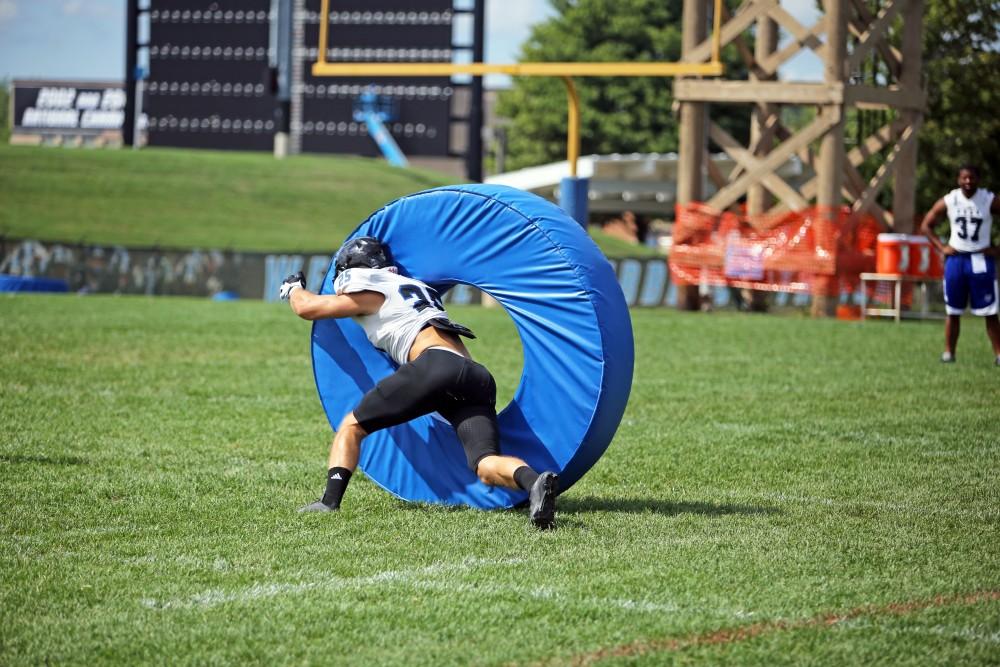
pixel 970 257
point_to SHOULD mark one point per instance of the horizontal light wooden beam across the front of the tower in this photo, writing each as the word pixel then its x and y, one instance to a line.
pixel 745 92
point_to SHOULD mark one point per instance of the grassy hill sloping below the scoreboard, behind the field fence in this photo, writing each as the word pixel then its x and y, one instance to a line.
pixel 186 198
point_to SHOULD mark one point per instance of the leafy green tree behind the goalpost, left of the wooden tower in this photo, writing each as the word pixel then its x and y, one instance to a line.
pixel 617 114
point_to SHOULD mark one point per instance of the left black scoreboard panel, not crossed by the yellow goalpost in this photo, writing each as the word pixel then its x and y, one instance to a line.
pixel 207 85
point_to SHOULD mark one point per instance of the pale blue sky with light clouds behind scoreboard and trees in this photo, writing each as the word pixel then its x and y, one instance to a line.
pixel 85 39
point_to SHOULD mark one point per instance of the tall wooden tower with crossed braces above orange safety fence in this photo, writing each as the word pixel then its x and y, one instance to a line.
pixel 871 52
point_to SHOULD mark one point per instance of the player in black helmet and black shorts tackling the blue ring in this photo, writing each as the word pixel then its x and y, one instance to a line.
pixel 405 318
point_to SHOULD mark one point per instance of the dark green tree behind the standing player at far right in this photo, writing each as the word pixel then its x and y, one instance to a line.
pixel 961 50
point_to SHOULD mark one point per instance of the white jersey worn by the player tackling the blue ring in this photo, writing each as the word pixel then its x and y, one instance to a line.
pixel 409 305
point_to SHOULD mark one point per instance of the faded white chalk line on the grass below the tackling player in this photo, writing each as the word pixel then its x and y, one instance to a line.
pixel 214 597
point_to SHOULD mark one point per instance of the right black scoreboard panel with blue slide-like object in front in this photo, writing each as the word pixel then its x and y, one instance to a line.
pixel 379 31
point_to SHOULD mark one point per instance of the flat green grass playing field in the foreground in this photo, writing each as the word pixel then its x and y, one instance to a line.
pixel 770 476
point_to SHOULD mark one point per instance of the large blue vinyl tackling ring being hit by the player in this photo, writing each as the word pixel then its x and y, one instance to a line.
pixel 569 311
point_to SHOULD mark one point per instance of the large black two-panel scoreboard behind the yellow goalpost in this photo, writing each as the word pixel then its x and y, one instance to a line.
pixel 209 79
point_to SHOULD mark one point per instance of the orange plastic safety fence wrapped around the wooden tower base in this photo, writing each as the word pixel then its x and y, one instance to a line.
pixel 816 250
